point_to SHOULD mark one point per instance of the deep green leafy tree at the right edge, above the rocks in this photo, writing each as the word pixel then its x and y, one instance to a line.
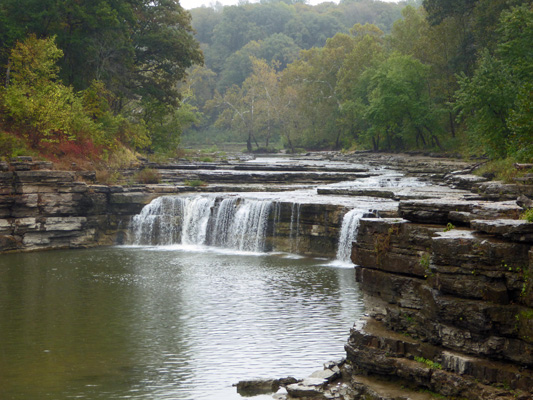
pixel 495 103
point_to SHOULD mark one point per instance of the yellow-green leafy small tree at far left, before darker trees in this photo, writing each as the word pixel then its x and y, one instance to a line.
pixel 39 106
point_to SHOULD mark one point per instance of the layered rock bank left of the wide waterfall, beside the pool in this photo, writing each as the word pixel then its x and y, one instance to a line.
pixel 45 209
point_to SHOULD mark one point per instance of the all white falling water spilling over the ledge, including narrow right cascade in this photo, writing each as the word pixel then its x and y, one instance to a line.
pixel 235 223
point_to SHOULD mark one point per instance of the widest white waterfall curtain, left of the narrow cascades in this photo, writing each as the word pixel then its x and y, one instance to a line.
pixel 235 223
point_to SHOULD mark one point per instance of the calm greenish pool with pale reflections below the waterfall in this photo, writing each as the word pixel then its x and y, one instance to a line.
pixel 165 323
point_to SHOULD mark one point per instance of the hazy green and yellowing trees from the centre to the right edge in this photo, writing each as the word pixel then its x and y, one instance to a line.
pixel 450 75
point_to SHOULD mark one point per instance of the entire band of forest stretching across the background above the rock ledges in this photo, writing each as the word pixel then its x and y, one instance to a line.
pixel 99 79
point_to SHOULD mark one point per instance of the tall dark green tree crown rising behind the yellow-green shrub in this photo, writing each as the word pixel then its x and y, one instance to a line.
pixel 136 47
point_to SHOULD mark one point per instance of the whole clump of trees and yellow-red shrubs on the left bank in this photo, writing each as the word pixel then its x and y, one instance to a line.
pixel 91 76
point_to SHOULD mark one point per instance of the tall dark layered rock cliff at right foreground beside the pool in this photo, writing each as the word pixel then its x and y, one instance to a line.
pixel 449 309
